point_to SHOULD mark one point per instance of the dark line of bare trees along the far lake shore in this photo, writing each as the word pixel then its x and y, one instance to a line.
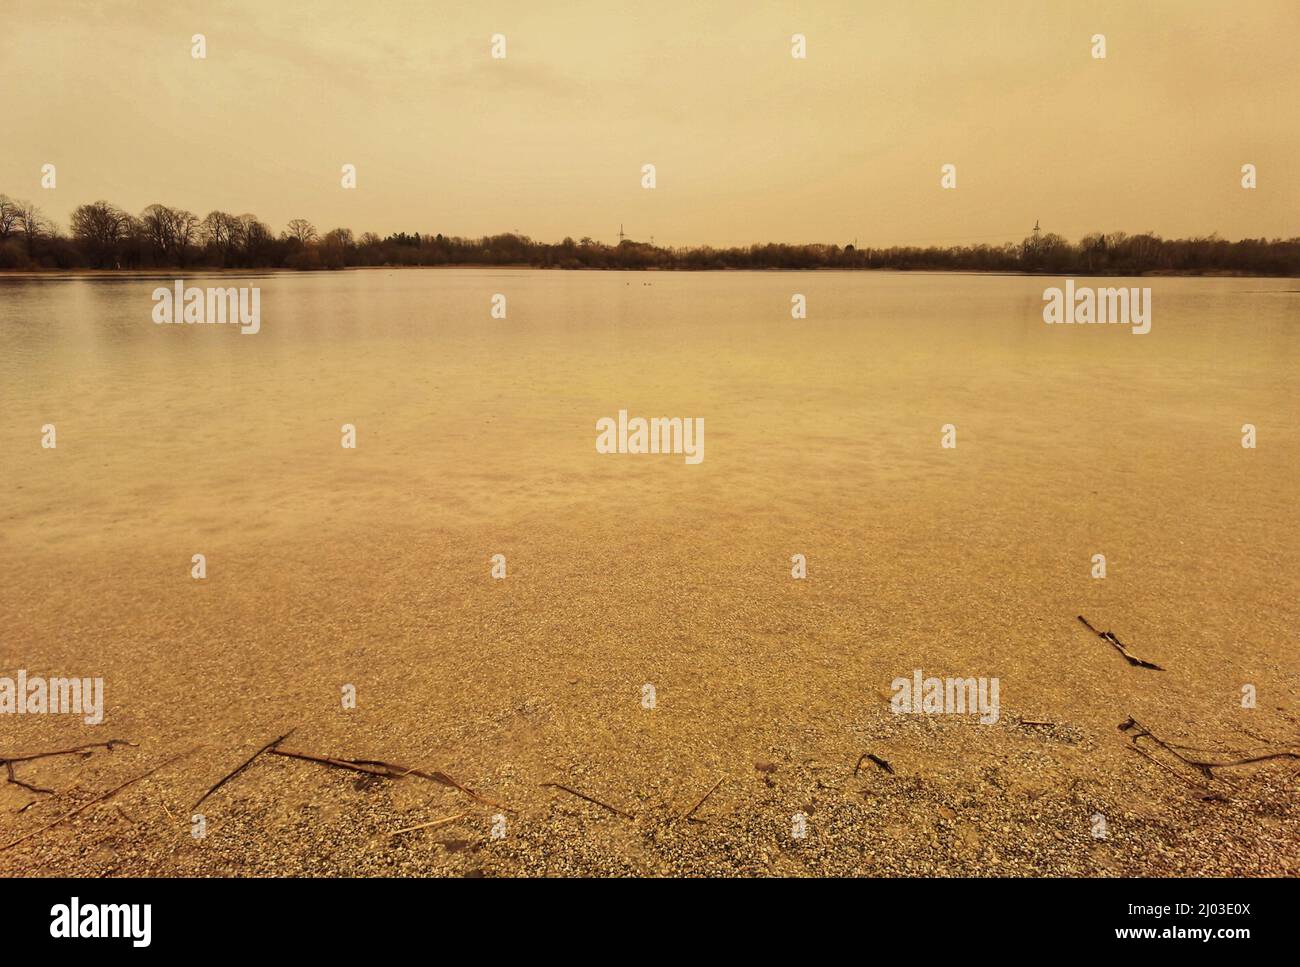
pixel 106 237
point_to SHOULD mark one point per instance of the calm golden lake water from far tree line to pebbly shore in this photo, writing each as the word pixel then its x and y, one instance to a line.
pixel 478 436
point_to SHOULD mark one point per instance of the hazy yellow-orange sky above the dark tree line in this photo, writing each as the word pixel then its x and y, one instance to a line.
pixel 751 145
